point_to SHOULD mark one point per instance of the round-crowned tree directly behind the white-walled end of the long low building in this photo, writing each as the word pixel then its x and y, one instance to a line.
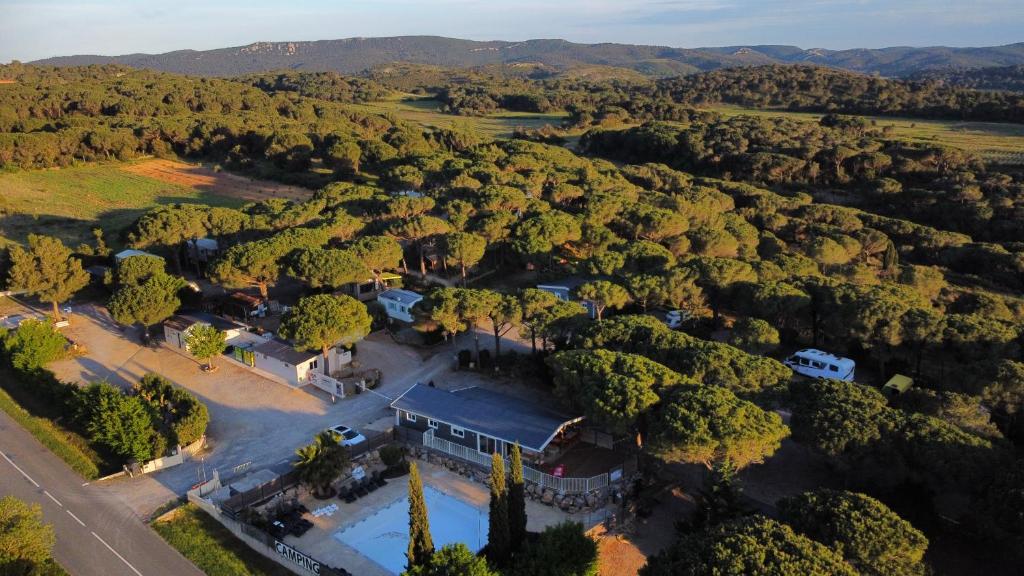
pixel 323 321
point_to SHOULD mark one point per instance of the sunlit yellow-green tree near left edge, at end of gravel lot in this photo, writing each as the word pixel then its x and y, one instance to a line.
pixel 47 271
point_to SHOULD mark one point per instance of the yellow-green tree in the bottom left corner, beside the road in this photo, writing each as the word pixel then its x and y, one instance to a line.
pixel 26 544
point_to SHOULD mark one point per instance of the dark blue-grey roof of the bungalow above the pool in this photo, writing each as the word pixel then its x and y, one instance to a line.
pixel 505 418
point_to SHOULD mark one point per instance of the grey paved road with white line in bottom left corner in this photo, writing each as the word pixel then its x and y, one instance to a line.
pixel 97 534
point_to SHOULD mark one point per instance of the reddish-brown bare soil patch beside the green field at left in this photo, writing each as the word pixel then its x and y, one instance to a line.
pixel 207 180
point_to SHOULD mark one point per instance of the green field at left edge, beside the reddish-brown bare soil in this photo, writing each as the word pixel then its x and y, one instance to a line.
pixel 70 202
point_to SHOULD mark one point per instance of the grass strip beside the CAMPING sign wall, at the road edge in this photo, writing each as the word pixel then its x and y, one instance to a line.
pixel 210 547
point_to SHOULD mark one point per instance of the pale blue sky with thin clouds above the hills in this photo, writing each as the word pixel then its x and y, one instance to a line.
pixel 37 29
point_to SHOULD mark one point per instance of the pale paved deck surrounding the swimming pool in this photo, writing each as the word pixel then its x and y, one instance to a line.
pixel 321 544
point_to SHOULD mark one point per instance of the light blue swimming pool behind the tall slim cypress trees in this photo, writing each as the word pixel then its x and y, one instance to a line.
pixel 383 538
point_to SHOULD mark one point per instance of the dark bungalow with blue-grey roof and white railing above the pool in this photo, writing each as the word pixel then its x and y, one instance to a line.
pixel 483 421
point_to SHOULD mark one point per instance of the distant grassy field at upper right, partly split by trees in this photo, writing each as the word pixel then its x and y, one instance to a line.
pixel 993 142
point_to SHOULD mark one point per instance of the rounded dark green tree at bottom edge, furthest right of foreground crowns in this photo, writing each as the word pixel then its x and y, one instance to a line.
pixel 872 538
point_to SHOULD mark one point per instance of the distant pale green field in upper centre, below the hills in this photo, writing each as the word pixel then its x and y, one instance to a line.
pixel 426 112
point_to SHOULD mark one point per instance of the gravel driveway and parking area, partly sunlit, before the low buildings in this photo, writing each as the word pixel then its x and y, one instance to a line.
pixel 254 422
